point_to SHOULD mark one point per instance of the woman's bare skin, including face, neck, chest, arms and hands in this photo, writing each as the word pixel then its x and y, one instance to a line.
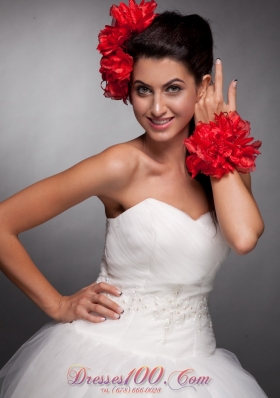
pixel 152 165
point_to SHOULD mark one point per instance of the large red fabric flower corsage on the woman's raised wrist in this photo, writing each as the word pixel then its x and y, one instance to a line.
pixel 219 147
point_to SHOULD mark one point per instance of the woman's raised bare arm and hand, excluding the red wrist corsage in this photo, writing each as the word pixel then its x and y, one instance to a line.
pixel 237 211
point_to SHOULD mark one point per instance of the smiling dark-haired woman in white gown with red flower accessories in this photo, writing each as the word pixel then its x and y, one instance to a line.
pixel 167 233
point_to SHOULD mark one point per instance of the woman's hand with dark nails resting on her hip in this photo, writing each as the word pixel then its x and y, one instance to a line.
pixel 87 300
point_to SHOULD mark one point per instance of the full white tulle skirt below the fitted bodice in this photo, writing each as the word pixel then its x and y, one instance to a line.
pixel 58 362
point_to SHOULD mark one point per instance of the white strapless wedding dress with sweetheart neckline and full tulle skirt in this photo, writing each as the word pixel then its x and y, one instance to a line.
pixel 163 345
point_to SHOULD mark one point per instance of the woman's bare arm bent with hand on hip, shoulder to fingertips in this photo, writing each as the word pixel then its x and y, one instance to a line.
pixel 105 174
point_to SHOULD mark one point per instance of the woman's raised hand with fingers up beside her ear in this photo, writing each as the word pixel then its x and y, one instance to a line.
pixel 211 98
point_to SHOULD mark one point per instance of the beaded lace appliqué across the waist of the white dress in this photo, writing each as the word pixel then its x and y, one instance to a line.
pixel 165 306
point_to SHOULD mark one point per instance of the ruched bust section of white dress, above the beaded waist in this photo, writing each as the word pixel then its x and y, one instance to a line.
pixel 157 245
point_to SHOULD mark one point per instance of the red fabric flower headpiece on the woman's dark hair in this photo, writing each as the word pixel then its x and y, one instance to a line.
pixel 116 64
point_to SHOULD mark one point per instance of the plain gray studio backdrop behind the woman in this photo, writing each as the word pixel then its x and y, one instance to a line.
pixel 53 115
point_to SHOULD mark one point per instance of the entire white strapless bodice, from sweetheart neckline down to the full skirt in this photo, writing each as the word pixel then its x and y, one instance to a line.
pixel 165 263
